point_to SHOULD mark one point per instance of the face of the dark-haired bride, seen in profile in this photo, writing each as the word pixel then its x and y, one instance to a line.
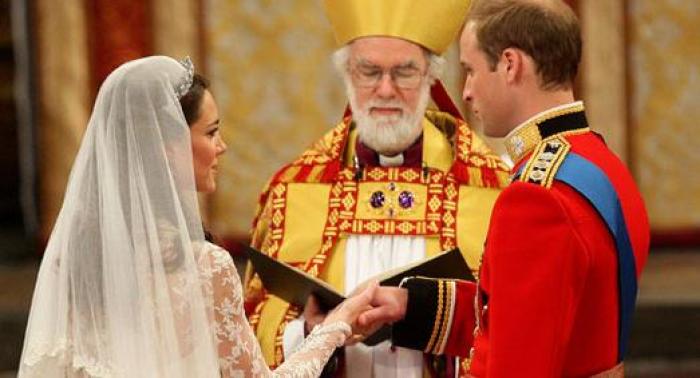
pixel 207 144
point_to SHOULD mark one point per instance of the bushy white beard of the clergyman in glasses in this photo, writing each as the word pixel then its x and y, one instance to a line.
pixel 388 135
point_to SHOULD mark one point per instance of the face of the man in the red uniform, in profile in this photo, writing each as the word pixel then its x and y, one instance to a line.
pixel 484 87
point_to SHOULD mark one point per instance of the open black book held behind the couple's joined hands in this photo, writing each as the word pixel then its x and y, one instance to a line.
pixel 294 285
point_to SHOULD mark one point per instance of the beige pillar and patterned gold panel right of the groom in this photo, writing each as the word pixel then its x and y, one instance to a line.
pixel 641 83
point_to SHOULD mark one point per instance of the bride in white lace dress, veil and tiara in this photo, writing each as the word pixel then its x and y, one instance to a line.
pixel 129 286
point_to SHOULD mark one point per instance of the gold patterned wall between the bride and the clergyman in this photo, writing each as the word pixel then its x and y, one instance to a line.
pixel 277 92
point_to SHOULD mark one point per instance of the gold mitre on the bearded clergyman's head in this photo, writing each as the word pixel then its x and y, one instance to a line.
pixel 434 24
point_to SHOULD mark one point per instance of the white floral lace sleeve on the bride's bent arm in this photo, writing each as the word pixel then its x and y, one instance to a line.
pixel 239 351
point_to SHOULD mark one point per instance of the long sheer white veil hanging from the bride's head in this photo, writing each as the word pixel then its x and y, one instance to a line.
pixel 118 293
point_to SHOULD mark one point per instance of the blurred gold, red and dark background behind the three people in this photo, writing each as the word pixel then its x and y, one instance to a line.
pixel 269 64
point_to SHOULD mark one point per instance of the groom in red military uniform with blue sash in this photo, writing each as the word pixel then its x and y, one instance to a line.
pixel 568 238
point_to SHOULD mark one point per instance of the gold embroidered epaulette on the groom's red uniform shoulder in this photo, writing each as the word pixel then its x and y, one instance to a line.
pixel 545 161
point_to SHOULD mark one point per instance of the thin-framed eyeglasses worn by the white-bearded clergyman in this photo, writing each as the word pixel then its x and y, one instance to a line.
pixel 369 76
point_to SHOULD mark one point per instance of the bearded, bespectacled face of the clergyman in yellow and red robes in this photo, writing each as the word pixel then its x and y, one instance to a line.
pixel 388 91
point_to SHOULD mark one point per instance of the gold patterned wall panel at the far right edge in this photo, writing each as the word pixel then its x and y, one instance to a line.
pixel 665 108
